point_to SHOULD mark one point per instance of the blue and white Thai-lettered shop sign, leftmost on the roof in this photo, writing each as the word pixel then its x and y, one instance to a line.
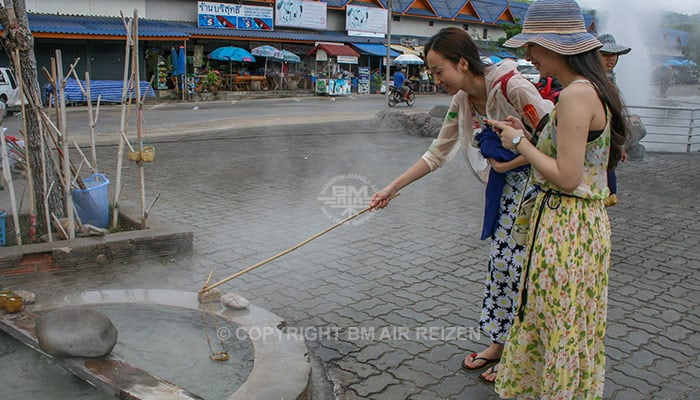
pixel 234 16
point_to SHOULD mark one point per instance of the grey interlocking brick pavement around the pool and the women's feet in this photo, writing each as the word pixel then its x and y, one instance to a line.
pixel 412 272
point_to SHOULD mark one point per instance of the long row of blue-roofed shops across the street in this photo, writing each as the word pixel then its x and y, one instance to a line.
pixel 93 30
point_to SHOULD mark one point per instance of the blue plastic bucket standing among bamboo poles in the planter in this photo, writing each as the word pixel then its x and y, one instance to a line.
pixel 92 203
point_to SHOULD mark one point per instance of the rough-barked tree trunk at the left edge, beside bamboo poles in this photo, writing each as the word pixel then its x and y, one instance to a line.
pixel 17 36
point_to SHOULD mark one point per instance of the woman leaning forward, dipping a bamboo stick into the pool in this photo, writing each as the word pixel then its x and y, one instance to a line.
pixel 453 59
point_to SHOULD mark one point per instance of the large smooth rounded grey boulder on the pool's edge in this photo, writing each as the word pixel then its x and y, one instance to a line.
pixel 75 332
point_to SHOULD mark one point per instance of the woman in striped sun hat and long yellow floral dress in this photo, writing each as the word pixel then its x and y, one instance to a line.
pixel 555 348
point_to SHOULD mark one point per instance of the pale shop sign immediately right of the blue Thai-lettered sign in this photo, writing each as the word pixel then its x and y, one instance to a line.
pixel 301 14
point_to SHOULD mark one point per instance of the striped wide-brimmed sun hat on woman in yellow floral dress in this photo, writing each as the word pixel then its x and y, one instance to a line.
pixel 556 25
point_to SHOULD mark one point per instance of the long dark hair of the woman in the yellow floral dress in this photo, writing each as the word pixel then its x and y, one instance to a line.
pixel 590 65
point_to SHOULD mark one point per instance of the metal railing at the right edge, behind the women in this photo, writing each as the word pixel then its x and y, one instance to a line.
pixel 673 129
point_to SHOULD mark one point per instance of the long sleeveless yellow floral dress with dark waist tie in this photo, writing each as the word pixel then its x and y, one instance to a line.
pixel 555 349
